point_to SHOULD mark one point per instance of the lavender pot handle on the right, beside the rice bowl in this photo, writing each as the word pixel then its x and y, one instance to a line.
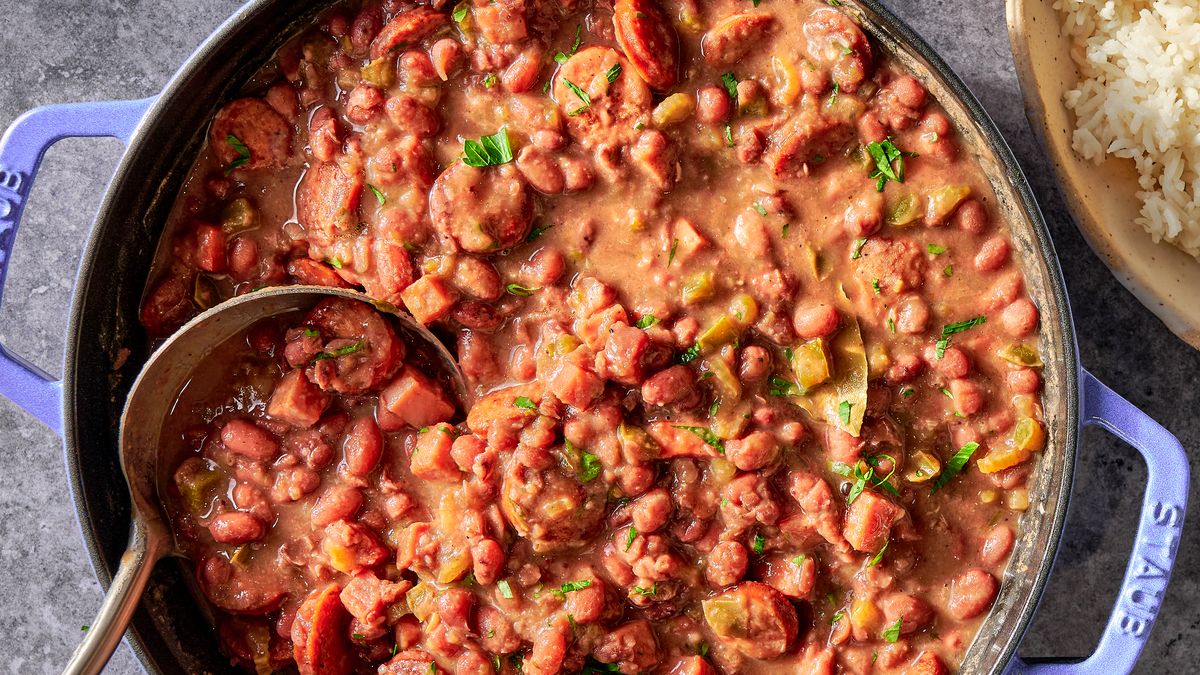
pixel 1159 536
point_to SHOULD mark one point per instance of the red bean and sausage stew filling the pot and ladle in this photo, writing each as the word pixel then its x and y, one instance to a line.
pixel 757 374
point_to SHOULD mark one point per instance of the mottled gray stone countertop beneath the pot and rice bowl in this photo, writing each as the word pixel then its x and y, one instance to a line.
pixel 59 51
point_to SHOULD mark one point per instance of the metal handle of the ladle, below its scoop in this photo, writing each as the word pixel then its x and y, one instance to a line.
pixel 122 601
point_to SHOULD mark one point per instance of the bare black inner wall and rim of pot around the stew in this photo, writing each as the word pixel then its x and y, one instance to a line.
pixel 171 634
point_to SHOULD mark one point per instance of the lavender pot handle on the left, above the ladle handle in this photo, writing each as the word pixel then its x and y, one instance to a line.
pixel 21 154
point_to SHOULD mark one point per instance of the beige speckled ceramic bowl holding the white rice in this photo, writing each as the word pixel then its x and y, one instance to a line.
pixel 1102 198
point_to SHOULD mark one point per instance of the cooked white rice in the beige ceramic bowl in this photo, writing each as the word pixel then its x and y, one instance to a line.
pixel 1139 98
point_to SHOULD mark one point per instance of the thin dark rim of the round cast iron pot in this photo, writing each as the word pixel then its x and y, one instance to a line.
pixel 885 27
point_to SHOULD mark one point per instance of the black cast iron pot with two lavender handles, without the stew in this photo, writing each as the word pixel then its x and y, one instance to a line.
pixel 171 634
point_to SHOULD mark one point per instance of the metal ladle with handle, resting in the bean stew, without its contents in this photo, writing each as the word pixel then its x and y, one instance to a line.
pixel 148 407
